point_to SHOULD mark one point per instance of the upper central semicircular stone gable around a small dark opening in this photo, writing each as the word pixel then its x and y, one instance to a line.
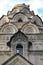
pixel 18 16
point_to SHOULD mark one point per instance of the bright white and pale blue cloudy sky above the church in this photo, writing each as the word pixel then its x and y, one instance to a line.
pixel 35 5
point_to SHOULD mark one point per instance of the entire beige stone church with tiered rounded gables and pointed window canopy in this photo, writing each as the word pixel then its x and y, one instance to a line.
pixel 21 37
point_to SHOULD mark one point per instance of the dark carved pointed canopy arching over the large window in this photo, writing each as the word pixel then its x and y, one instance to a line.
pixel 17 36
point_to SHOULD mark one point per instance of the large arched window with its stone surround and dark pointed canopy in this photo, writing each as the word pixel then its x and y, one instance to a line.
pixel 18 43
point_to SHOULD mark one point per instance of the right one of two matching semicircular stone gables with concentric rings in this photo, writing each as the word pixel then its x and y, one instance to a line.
pixel 30 28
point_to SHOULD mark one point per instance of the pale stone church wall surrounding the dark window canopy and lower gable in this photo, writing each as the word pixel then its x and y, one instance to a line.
pixel 31 25
